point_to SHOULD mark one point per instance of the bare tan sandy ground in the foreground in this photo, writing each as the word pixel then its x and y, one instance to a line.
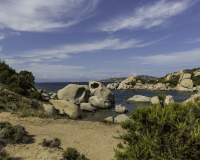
pixel 93 139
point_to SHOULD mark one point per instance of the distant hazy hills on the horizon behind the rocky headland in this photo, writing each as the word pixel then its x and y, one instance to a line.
pixel 145 77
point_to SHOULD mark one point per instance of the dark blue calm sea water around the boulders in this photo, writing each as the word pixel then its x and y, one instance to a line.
pixel 121 97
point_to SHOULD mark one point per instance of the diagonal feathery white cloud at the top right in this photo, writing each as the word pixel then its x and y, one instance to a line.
pixel 148 16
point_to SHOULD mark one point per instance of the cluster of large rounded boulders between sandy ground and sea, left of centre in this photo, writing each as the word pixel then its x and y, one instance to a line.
pixel 73 98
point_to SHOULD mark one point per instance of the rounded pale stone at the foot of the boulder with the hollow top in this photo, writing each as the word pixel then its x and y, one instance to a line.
pixel 99 102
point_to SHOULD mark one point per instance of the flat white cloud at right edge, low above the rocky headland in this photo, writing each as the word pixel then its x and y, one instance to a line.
pixel 177 58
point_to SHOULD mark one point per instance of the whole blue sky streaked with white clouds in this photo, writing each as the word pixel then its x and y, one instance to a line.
pixel 83 40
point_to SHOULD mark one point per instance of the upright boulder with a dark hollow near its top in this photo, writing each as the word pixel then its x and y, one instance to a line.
pixel 99 90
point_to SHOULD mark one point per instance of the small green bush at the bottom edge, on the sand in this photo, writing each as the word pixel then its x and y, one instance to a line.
pixel 72 154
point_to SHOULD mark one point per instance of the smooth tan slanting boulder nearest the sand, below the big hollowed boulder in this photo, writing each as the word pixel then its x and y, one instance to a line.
pixel 69 108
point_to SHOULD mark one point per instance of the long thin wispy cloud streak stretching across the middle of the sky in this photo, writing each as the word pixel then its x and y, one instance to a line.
pixel 63 51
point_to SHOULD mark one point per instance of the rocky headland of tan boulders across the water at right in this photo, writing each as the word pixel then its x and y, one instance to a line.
pixel 184 83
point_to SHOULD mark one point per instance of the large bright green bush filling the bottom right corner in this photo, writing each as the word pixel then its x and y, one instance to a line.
pixel 169 132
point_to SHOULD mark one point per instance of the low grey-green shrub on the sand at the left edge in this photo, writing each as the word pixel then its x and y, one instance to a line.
pixel 13 134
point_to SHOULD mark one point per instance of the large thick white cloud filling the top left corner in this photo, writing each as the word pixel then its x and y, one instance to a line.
pixel 45 15
